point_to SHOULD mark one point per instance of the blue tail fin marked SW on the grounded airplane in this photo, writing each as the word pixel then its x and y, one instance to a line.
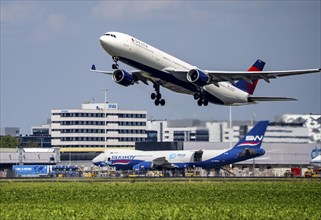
pixel 254 138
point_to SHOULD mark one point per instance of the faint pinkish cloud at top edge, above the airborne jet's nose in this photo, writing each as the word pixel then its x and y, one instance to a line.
pixel 134 10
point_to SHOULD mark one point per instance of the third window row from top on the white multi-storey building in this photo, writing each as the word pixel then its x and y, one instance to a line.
pixel 99 131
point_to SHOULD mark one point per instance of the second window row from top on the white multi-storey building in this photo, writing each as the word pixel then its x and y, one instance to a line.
pixel 120 123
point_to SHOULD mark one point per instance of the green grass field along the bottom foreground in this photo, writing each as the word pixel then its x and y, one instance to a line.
pixel 161 200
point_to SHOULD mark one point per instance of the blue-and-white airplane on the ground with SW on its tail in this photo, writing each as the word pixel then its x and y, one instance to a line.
pixel 247 148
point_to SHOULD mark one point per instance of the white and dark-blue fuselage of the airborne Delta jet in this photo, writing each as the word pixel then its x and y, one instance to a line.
pixel 149 60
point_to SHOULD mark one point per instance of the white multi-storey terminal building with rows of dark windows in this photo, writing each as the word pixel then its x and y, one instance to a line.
pixel 97 125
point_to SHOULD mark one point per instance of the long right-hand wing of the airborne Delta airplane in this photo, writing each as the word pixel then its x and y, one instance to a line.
pixel 249 76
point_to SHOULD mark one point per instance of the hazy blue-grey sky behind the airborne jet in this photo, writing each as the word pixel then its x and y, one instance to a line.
pixel 48 47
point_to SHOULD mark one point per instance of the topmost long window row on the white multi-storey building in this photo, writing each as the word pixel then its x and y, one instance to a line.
pixel 98 115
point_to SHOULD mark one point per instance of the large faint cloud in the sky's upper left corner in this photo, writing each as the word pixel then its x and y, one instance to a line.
pixel 35 21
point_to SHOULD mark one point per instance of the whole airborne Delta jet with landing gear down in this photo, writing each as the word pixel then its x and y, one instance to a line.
pixel 162 69
